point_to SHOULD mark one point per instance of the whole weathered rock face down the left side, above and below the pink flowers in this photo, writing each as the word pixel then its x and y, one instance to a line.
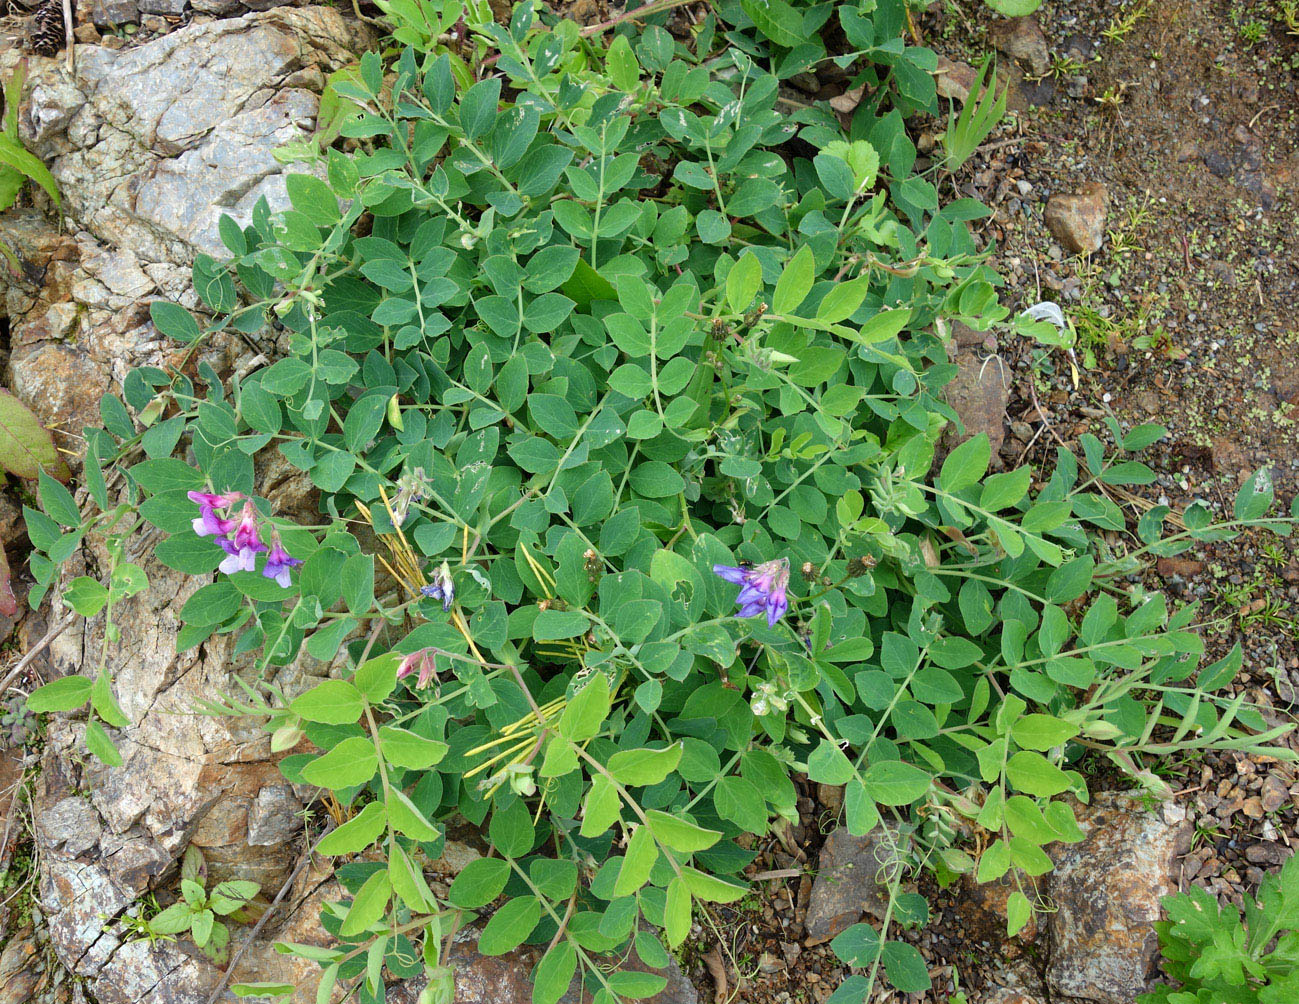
pixel 150 146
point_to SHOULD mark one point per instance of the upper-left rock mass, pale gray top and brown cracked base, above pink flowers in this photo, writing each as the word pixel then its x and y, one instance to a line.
pixel 150 147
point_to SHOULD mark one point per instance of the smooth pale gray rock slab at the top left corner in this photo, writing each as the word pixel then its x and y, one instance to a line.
pixel 151 145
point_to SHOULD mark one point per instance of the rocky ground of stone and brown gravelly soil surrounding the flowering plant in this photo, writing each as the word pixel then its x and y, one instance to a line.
pixel 1146 182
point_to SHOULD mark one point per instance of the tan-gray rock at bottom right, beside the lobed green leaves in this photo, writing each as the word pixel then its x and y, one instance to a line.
pixel 1107 890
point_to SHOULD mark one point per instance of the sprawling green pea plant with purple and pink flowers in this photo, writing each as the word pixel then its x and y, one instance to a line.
pixel 619 384
